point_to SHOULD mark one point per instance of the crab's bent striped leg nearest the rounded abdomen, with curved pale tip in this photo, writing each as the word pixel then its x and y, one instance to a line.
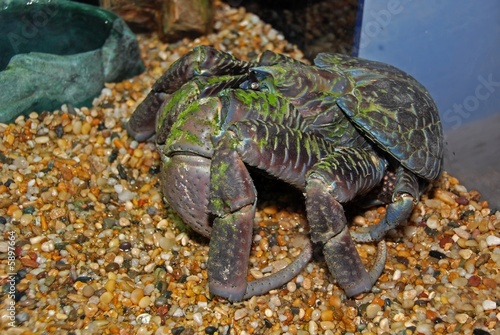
pixel 336 179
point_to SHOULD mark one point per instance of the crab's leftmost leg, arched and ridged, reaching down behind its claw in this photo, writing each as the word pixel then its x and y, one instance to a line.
pixel 201 61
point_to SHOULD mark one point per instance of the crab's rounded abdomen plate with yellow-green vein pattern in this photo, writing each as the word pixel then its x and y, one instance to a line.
pixel 393 110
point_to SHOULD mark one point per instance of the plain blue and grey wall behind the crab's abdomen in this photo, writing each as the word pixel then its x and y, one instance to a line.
pixel 453 48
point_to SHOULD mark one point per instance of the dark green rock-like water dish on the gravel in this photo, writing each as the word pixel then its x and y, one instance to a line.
pixel 55 52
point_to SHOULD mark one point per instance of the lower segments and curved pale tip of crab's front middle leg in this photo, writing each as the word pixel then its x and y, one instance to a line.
pixel 233 200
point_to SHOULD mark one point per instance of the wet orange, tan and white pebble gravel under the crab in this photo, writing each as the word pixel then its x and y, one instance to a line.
pixel 87 245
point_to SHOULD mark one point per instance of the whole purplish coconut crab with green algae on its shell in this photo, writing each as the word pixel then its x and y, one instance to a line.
pixel 341 129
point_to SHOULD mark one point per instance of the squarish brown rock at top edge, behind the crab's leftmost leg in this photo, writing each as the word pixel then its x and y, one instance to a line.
pixel 186 18
